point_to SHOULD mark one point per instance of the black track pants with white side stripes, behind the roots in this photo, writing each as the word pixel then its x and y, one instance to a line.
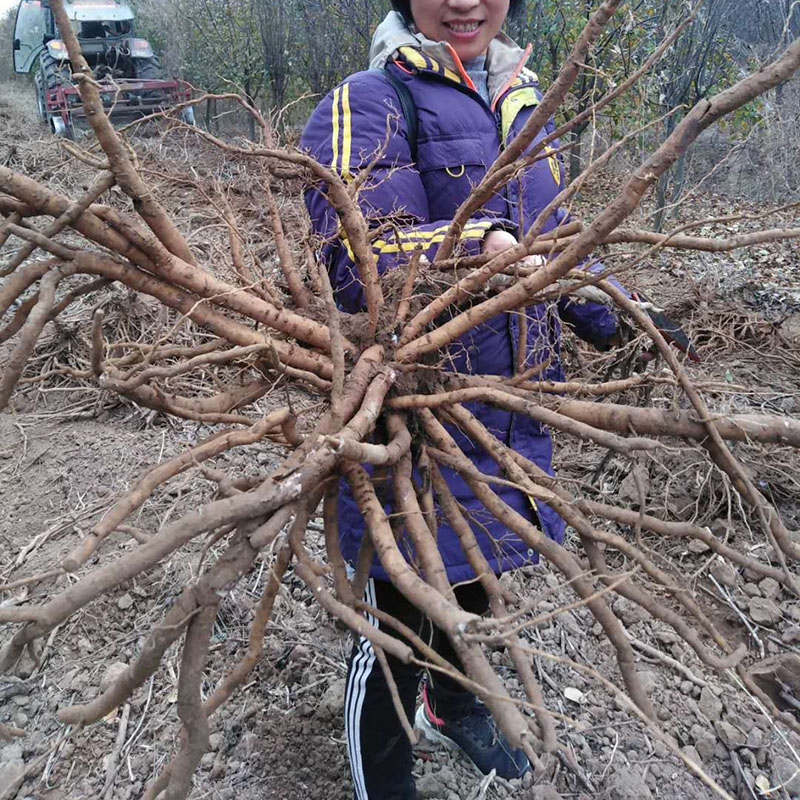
pixel 378 748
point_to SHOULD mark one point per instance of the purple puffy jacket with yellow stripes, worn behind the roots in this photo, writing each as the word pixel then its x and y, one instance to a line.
pixel 459 137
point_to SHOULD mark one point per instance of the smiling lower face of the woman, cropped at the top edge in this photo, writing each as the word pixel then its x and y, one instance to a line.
pixel 468 25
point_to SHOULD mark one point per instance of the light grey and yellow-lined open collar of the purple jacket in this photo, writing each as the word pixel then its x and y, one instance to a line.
pixel 505 60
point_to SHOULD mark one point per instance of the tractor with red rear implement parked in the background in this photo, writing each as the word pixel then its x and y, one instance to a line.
pixel 131 80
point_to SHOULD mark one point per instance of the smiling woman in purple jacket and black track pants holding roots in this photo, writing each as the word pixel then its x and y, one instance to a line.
pixel 471 93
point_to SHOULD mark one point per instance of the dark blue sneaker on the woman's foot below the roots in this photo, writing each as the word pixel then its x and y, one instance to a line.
pixel 475 734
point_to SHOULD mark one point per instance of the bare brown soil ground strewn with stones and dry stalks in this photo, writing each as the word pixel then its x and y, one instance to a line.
pixel 66 452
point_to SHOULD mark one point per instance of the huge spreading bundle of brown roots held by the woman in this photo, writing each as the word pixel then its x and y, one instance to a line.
pixel 382 410
